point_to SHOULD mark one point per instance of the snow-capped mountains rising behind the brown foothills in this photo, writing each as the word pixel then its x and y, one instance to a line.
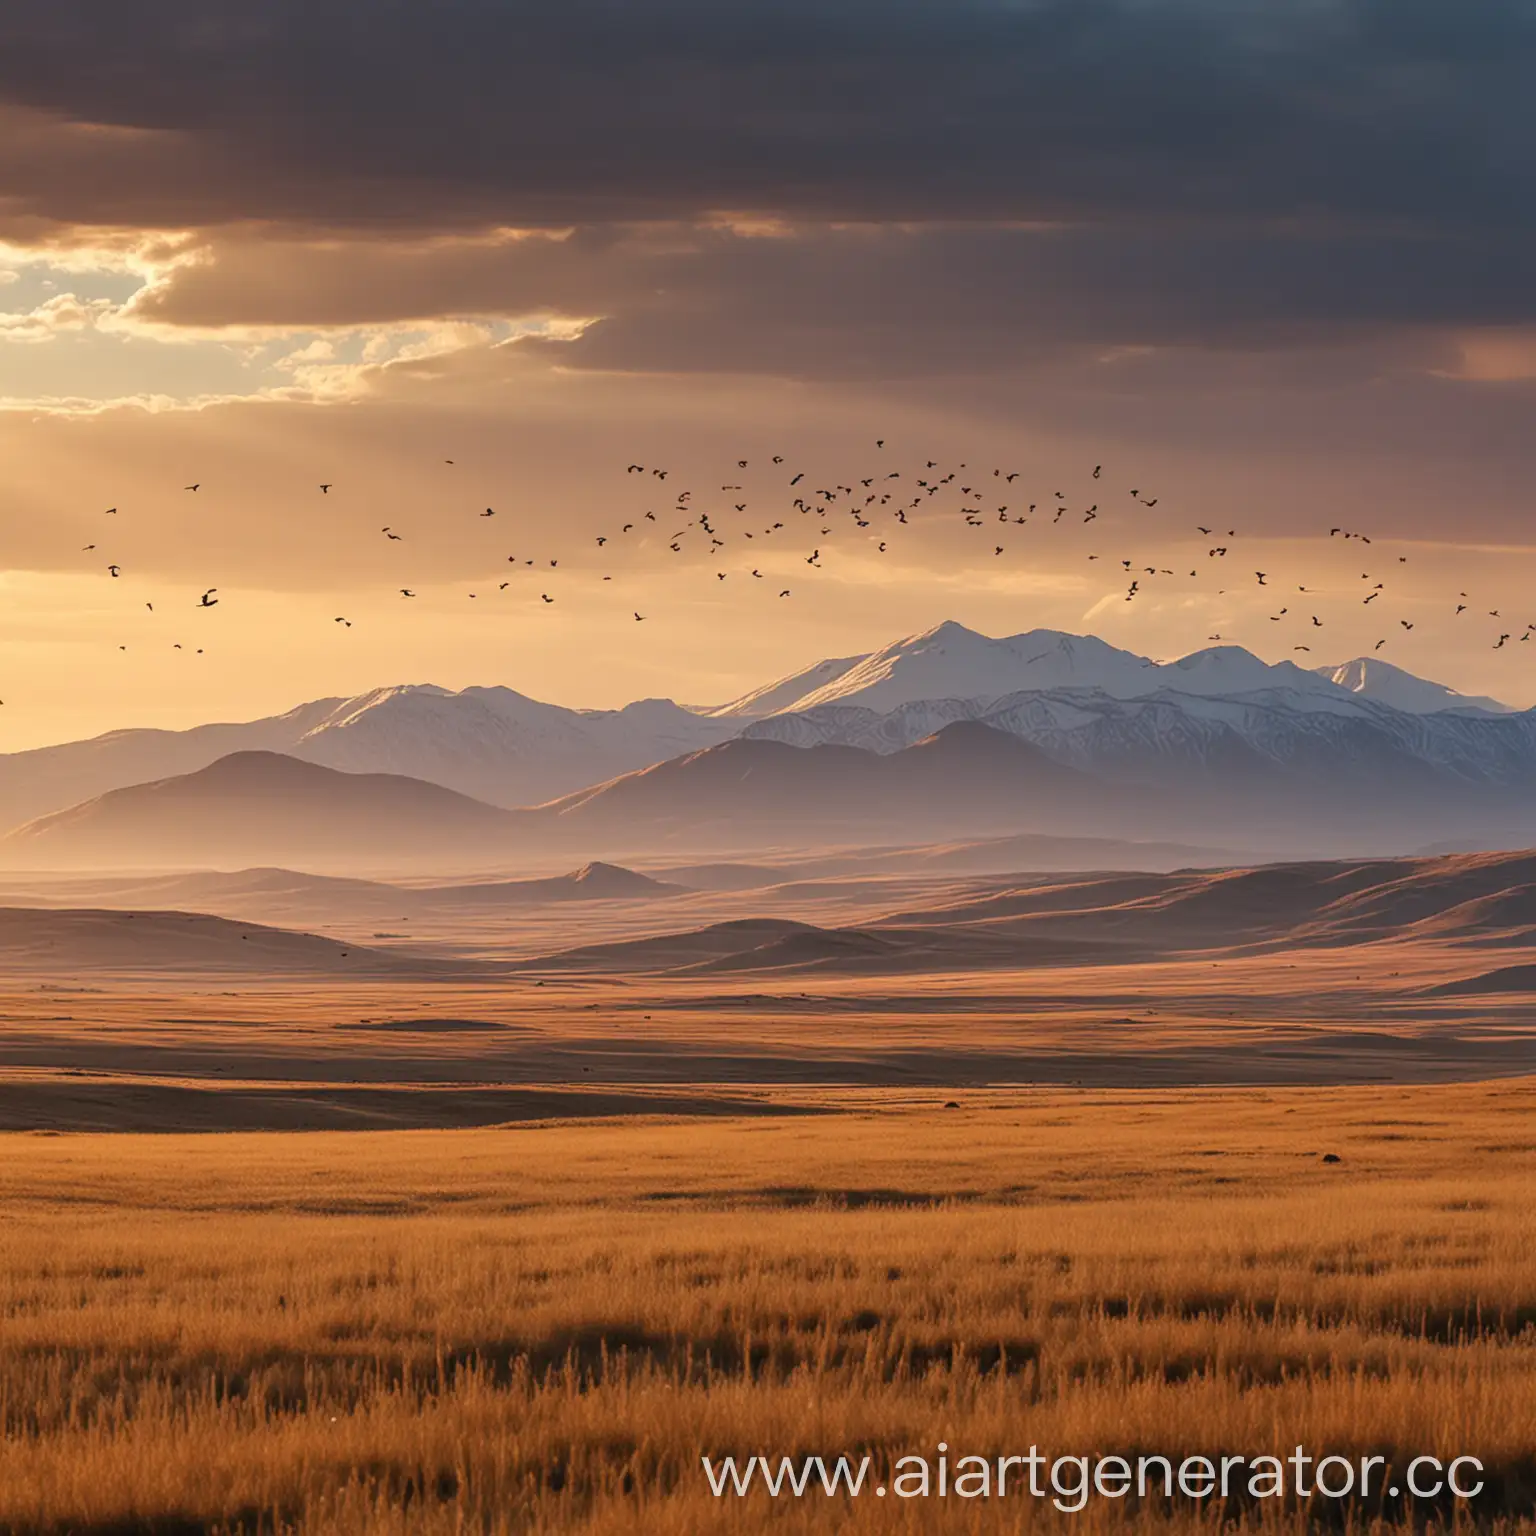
pixel 1084 703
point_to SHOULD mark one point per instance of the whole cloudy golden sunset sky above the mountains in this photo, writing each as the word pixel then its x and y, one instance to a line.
pixel 1265 263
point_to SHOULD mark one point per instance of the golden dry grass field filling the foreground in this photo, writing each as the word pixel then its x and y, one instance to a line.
pixel 541 1329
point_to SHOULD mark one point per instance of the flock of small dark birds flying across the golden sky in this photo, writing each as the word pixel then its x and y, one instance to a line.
pixel 769 517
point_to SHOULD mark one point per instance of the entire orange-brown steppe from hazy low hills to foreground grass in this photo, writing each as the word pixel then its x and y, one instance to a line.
pixel 520 1208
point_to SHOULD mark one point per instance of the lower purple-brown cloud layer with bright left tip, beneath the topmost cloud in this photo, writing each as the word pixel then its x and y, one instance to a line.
pixel 873 300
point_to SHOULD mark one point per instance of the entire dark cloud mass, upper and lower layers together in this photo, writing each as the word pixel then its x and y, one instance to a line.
pixel 1011 176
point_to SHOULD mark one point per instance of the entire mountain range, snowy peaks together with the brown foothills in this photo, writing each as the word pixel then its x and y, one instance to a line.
pixel 945 733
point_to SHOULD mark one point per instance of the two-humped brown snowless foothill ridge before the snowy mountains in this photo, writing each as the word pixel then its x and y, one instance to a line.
pixel 268 807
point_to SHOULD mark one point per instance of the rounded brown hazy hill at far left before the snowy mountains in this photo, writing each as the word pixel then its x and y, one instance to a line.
pixel 268 806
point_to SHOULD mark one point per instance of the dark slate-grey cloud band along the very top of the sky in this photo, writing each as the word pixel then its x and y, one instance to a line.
pixel 1417 113
